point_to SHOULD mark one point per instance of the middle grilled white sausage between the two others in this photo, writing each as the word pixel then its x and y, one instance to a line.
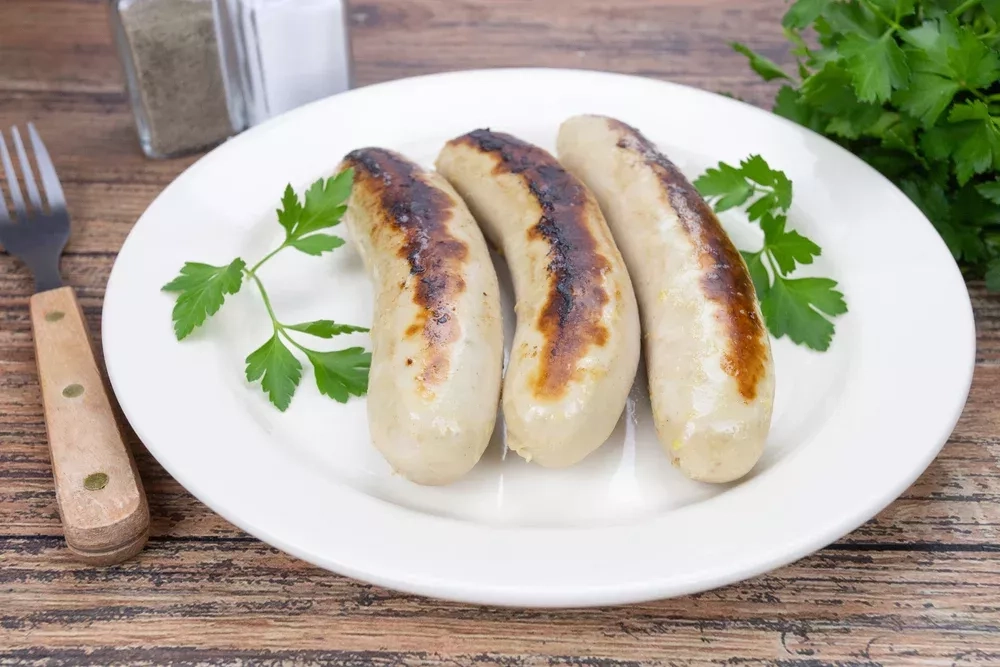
pixel 576 346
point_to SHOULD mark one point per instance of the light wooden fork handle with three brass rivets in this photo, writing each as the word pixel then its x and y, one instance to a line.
pixel 101 501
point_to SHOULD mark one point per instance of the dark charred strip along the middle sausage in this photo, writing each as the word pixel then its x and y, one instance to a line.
pixel 571 319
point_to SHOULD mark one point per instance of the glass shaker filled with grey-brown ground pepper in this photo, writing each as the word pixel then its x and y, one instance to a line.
pixel 170 52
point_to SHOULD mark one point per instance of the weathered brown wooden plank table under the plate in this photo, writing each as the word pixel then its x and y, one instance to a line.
pixel 919 584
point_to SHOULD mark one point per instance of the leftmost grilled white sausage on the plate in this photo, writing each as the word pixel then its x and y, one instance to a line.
pixel 437 339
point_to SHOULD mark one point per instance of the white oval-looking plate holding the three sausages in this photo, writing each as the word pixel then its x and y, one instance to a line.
pixel 852 427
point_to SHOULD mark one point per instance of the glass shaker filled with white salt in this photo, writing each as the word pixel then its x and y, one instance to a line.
pixel 284 53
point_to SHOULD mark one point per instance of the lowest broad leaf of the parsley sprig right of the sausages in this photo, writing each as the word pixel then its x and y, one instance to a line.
pixel 796 307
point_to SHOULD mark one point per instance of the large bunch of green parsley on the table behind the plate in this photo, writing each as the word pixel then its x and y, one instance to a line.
pixel 913 88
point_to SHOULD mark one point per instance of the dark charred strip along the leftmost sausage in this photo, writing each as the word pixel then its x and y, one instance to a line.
pixel 419 213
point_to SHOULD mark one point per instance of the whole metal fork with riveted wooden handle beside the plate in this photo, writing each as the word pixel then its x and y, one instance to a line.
pixel 101 501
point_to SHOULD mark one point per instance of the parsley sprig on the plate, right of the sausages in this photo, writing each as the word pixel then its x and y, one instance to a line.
pixel 800 308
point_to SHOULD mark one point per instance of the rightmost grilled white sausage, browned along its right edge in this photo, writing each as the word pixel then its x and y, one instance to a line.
pixel 711 376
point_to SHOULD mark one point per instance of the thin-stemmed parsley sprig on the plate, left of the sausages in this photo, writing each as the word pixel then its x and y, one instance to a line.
pixel 202 289
